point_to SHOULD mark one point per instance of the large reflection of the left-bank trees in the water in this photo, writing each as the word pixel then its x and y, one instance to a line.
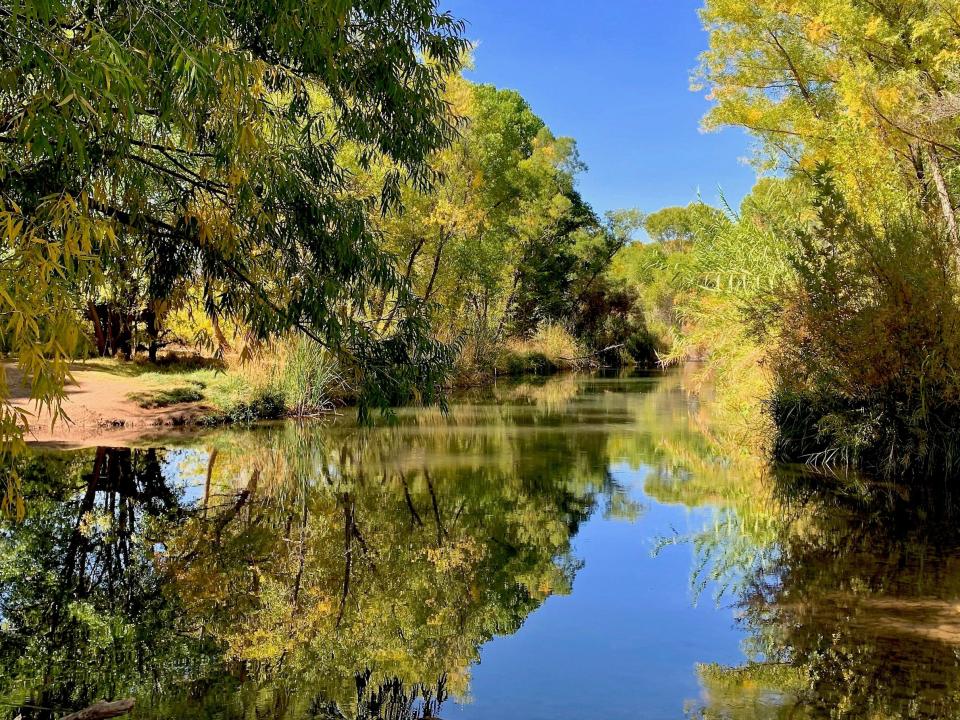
pixel 289 572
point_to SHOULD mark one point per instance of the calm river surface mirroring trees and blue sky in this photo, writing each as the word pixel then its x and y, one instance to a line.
pixel 569 548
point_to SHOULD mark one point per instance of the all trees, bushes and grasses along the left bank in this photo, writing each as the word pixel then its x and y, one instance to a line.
pixel 322 206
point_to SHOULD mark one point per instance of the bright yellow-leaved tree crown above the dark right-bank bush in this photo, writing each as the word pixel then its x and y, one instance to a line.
pixel 868 88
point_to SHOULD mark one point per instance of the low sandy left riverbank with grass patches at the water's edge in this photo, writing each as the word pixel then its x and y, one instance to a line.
pixel 119 403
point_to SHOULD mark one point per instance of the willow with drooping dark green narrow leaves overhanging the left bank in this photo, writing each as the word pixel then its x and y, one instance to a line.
pixel 200 141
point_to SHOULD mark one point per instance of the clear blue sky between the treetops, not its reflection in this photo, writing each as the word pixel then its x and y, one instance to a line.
pixel 615 75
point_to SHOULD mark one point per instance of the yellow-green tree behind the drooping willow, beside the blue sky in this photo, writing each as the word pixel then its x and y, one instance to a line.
pixel 503 217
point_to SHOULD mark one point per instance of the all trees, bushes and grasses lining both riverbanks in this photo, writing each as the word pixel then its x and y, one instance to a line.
pixel 344 216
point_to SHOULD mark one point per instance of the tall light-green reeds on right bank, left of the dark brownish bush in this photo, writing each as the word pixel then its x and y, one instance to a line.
pixel 727 294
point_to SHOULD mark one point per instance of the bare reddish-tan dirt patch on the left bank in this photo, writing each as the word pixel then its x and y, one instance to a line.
pixel 100 410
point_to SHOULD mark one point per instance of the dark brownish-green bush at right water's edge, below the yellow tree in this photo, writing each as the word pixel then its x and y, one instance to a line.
pixel 867 361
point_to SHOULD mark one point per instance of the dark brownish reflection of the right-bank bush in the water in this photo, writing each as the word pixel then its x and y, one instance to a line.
pixel 853 610
